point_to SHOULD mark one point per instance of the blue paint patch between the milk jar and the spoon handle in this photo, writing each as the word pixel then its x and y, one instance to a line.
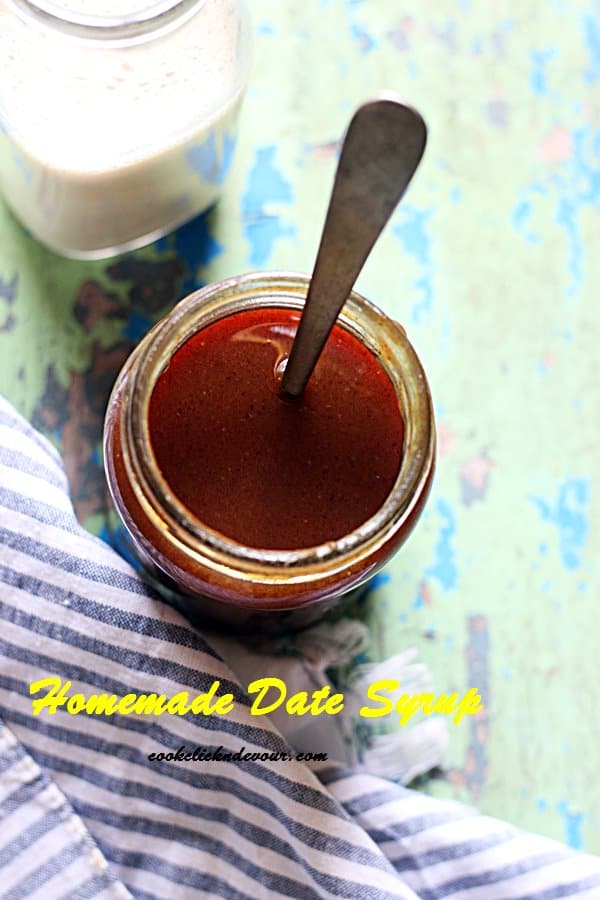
pixel 265 186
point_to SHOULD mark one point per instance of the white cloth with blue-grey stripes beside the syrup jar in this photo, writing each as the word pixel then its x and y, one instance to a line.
pixel 85 813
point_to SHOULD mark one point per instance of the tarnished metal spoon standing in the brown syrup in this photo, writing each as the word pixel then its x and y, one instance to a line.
pixel 380 154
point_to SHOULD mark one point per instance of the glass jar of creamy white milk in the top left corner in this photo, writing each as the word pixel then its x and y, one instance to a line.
pixel 117 117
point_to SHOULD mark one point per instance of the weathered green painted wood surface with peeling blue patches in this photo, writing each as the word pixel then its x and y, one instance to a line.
pixel 492 264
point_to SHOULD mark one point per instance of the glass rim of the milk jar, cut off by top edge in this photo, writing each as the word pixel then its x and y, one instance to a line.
pixel 157 16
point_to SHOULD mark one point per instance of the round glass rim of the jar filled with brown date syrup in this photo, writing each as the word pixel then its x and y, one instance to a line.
pixel 383 336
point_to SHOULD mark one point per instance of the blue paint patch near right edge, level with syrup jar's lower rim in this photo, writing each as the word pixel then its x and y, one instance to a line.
pixel 569 515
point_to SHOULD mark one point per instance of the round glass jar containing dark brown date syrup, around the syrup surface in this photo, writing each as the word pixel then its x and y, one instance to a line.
pixel 243 587
